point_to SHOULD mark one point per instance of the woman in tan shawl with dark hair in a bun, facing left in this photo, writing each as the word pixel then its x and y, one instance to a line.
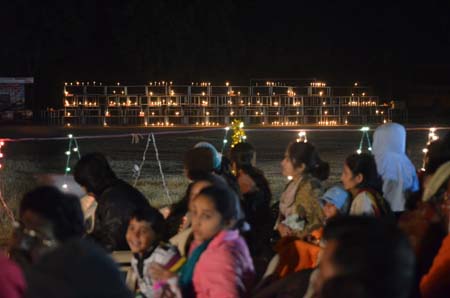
pixel 300 210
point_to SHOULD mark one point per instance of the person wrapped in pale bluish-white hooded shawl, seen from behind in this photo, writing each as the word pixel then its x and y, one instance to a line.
pixel 398 173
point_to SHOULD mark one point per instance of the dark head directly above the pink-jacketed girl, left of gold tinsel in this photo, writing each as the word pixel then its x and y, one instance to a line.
pixel 198 162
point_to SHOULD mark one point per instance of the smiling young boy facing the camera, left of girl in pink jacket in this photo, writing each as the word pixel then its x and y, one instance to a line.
pixel 145 231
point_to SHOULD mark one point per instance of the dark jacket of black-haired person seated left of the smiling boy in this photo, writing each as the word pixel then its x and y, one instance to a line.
pixel 115 206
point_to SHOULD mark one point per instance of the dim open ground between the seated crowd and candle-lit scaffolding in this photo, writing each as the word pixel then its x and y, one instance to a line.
pixel 25 161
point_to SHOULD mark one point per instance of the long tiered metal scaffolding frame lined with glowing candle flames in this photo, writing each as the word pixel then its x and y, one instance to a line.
pixel 165 104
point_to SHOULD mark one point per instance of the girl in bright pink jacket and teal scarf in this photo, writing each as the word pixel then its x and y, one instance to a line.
pixel 219 263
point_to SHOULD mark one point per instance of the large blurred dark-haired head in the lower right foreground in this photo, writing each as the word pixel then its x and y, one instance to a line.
pixel 374 250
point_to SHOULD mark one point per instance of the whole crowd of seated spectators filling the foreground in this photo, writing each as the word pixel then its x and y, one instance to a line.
pixel 382 232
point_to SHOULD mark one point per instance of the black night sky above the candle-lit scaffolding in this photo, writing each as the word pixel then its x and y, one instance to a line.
pixel 390 46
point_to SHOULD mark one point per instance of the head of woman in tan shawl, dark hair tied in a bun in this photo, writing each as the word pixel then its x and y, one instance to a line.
pixel 302 158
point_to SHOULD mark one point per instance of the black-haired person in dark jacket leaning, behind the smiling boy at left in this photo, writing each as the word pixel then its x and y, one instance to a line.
pixel 116 199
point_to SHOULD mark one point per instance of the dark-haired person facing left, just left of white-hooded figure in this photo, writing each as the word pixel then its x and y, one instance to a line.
pixel 361 179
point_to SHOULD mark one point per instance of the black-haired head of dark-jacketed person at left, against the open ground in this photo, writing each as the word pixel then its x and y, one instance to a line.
pixel 94 173
